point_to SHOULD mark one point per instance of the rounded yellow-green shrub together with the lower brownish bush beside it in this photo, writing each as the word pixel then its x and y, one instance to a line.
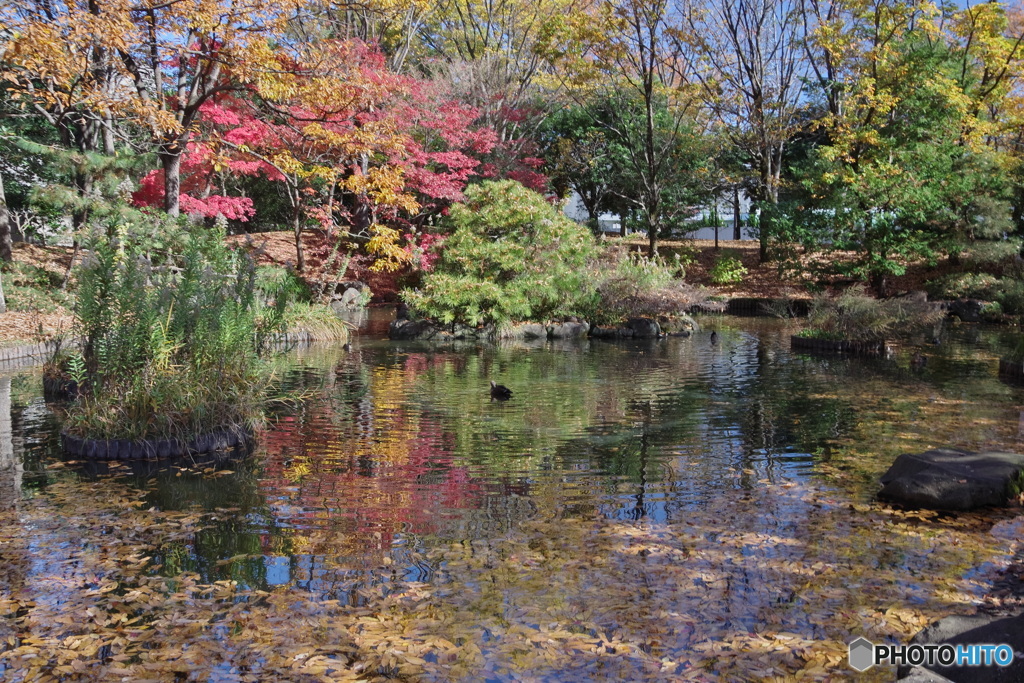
pixel 513 257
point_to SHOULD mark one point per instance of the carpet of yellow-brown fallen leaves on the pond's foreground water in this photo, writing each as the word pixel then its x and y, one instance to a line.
pixel 84 596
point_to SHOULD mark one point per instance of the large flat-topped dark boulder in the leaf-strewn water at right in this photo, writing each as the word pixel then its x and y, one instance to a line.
pixel 954 480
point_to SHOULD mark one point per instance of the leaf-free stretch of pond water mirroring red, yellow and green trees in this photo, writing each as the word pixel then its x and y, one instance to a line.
pixel 401 449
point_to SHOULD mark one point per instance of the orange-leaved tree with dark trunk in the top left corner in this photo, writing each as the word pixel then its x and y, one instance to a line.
pixel 90 67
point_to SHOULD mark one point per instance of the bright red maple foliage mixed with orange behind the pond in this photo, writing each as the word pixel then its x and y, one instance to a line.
pixel 373 117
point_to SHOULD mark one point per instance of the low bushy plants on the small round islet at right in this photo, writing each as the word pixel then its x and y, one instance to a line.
pixel 855 316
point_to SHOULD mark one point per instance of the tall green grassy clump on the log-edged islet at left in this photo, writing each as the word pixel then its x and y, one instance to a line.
pixel 173 347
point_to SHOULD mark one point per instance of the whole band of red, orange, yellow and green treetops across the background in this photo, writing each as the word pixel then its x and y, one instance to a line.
pixel 369 120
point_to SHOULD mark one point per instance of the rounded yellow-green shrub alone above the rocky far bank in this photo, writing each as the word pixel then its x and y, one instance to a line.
pixel 511 257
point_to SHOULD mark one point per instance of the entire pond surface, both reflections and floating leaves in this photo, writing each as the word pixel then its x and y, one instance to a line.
pixel 659 510
